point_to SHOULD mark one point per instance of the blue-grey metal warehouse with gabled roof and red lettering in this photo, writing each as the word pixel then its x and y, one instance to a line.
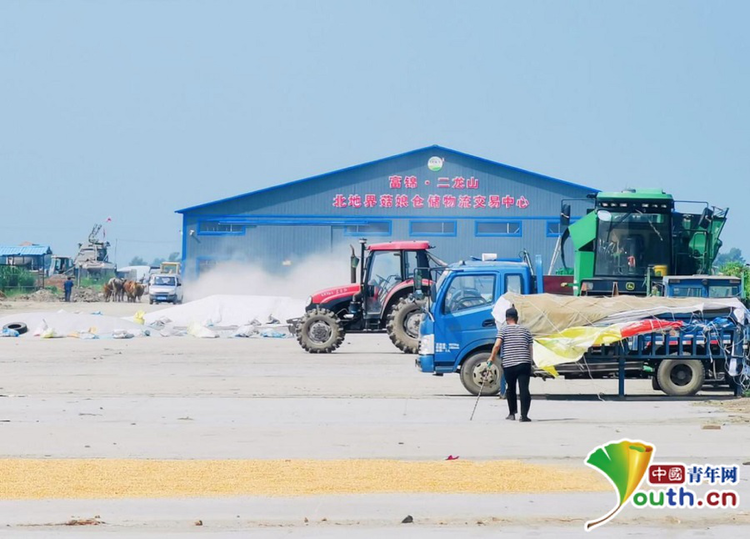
pixel 464 205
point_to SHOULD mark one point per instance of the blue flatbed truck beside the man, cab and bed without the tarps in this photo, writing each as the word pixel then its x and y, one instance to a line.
pixel 458 331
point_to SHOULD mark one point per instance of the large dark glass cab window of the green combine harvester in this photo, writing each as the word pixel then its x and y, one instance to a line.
pixel 629 242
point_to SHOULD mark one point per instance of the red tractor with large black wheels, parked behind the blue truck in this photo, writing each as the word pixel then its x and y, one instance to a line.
pixel 383 299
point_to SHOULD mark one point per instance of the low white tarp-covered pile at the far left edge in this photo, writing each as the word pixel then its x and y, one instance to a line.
pixel 65 323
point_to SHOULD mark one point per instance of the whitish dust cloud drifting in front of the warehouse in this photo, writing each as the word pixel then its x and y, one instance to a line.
pixel 298 281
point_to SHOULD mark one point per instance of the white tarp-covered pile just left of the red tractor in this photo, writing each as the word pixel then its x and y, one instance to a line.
pixel 230 311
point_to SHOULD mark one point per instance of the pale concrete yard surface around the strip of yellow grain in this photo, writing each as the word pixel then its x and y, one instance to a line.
pixel 185 398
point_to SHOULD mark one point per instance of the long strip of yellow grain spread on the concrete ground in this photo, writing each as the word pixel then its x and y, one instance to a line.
pixel 105 478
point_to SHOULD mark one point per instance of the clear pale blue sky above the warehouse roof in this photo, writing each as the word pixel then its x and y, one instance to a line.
pixel 135 109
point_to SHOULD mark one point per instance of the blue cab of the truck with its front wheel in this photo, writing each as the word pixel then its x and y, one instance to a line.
pixel 458 331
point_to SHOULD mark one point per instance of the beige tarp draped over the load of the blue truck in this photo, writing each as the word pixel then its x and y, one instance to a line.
pixel 547 314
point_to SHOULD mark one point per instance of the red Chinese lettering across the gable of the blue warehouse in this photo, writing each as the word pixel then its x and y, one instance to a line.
pixel 459 192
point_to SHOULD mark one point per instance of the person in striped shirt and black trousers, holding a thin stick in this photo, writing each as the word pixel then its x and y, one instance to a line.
pixel 517 352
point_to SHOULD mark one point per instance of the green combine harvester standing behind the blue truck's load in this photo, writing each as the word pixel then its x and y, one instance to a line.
pixel 630 240
